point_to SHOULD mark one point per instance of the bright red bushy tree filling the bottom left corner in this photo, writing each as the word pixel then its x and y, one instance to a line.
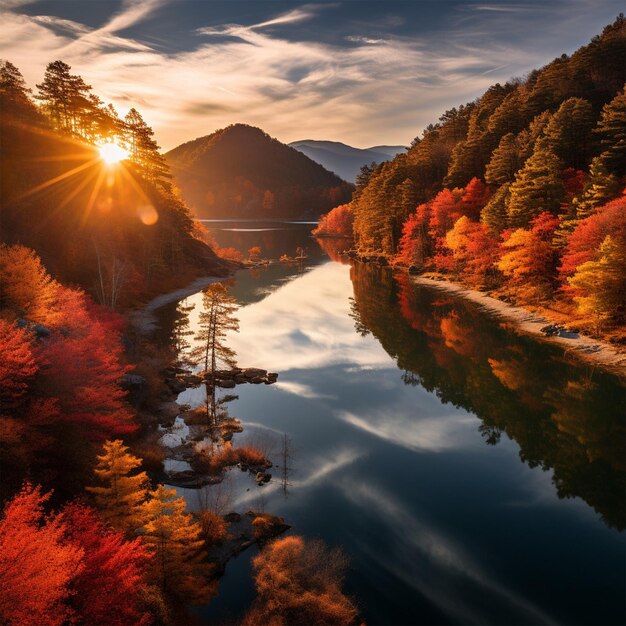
pixel 36 565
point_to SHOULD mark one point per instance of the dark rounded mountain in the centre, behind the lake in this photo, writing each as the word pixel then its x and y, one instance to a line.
pixel 242 172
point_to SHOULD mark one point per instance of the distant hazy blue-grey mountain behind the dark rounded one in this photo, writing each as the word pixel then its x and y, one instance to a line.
pixel 342 159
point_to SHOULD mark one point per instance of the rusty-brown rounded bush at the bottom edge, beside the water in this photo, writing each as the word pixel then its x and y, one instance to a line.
pixel 300 582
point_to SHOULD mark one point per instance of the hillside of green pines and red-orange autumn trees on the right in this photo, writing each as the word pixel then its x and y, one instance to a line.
pixel 521 189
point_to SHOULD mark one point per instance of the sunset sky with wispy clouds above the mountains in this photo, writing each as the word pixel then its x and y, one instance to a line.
pixel 358 71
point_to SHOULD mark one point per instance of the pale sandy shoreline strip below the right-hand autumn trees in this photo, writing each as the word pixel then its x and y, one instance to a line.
pixel 586 348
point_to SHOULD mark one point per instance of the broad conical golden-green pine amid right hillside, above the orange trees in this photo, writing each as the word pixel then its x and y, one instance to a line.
pixel 538 187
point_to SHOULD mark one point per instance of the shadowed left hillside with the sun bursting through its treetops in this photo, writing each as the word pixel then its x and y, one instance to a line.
pixel 118 230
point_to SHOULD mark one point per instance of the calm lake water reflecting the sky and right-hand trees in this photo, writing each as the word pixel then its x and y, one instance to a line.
pixel 472 476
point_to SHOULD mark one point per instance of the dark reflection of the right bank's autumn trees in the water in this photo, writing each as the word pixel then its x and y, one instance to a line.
pixel 561 418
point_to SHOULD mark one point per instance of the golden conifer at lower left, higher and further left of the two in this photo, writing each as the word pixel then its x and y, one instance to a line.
pixel 122 495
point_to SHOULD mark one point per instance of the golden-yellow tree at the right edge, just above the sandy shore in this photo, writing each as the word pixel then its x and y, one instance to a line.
pixel 601 283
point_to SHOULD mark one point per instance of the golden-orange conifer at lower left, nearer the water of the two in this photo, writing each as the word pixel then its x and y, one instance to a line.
pixel 177 542
